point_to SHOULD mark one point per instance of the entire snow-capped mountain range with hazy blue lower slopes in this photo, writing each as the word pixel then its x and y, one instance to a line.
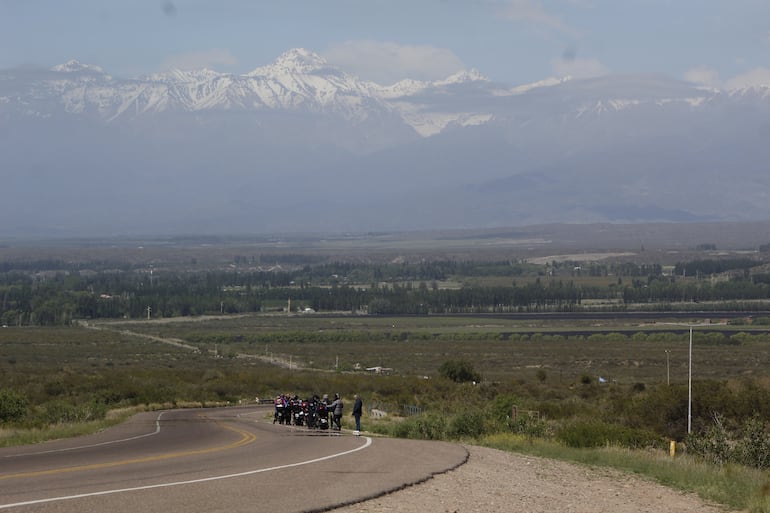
pixel 302 145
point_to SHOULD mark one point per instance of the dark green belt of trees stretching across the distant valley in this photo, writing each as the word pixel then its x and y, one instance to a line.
pixel 56 298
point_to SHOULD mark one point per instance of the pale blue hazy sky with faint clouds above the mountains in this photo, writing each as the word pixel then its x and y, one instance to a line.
pixel 713 42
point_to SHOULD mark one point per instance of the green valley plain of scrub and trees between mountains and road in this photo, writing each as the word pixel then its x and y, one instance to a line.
pixel 85 344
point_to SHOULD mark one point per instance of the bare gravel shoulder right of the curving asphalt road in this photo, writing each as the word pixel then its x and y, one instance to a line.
pixel 498 481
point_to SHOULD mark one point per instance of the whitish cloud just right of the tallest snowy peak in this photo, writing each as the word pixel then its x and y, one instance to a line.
pixel 387 63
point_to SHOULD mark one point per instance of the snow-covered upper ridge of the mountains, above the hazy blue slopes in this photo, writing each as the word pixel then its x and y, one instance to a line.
pixel 301 79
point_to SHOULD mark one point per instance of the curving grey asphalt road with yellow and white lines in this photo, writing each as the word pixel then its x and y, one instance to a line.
pixel 210 460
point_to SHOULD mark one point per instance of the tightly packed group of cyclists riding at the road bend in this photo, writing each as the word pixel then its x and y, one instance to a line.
pixel 314 413
